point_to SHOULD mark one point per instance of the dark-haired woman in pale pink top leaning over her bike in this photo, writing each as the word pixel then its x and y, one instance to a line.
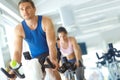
pixel 70 49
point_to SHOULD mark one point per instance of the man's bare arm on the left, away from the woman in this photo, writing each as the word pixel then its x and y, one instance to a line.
pixel 18 40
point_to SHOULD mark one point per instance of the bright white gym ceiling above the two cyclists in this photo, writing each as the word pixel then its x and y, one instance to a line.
pixel 95 22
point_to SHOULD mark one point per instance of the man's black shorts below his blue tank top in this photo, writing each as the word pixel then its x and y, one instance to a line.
pixel 41 60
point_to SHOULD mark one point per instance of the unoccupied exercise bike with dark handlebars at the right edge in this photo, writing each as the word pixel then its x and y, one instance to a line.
pixel 110 61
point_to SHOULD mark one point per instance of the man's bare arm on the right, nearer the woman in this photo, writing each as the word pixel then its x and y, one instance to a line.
pixel 51 39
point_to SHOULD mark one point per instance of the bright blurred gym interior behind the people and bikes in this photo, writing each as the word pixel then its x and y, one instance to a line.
pixel 94 23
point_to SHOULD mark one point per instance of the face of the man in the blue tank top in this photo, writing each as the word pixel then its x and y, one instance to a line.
pixel 26 10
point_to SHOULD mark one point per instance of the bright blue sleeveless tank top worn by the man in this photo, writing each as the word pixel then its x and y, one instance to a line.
pixel 36 39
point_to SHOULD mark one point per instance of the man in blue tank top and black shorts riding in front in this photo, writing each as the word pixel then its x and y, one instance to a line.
pixel 38 32
